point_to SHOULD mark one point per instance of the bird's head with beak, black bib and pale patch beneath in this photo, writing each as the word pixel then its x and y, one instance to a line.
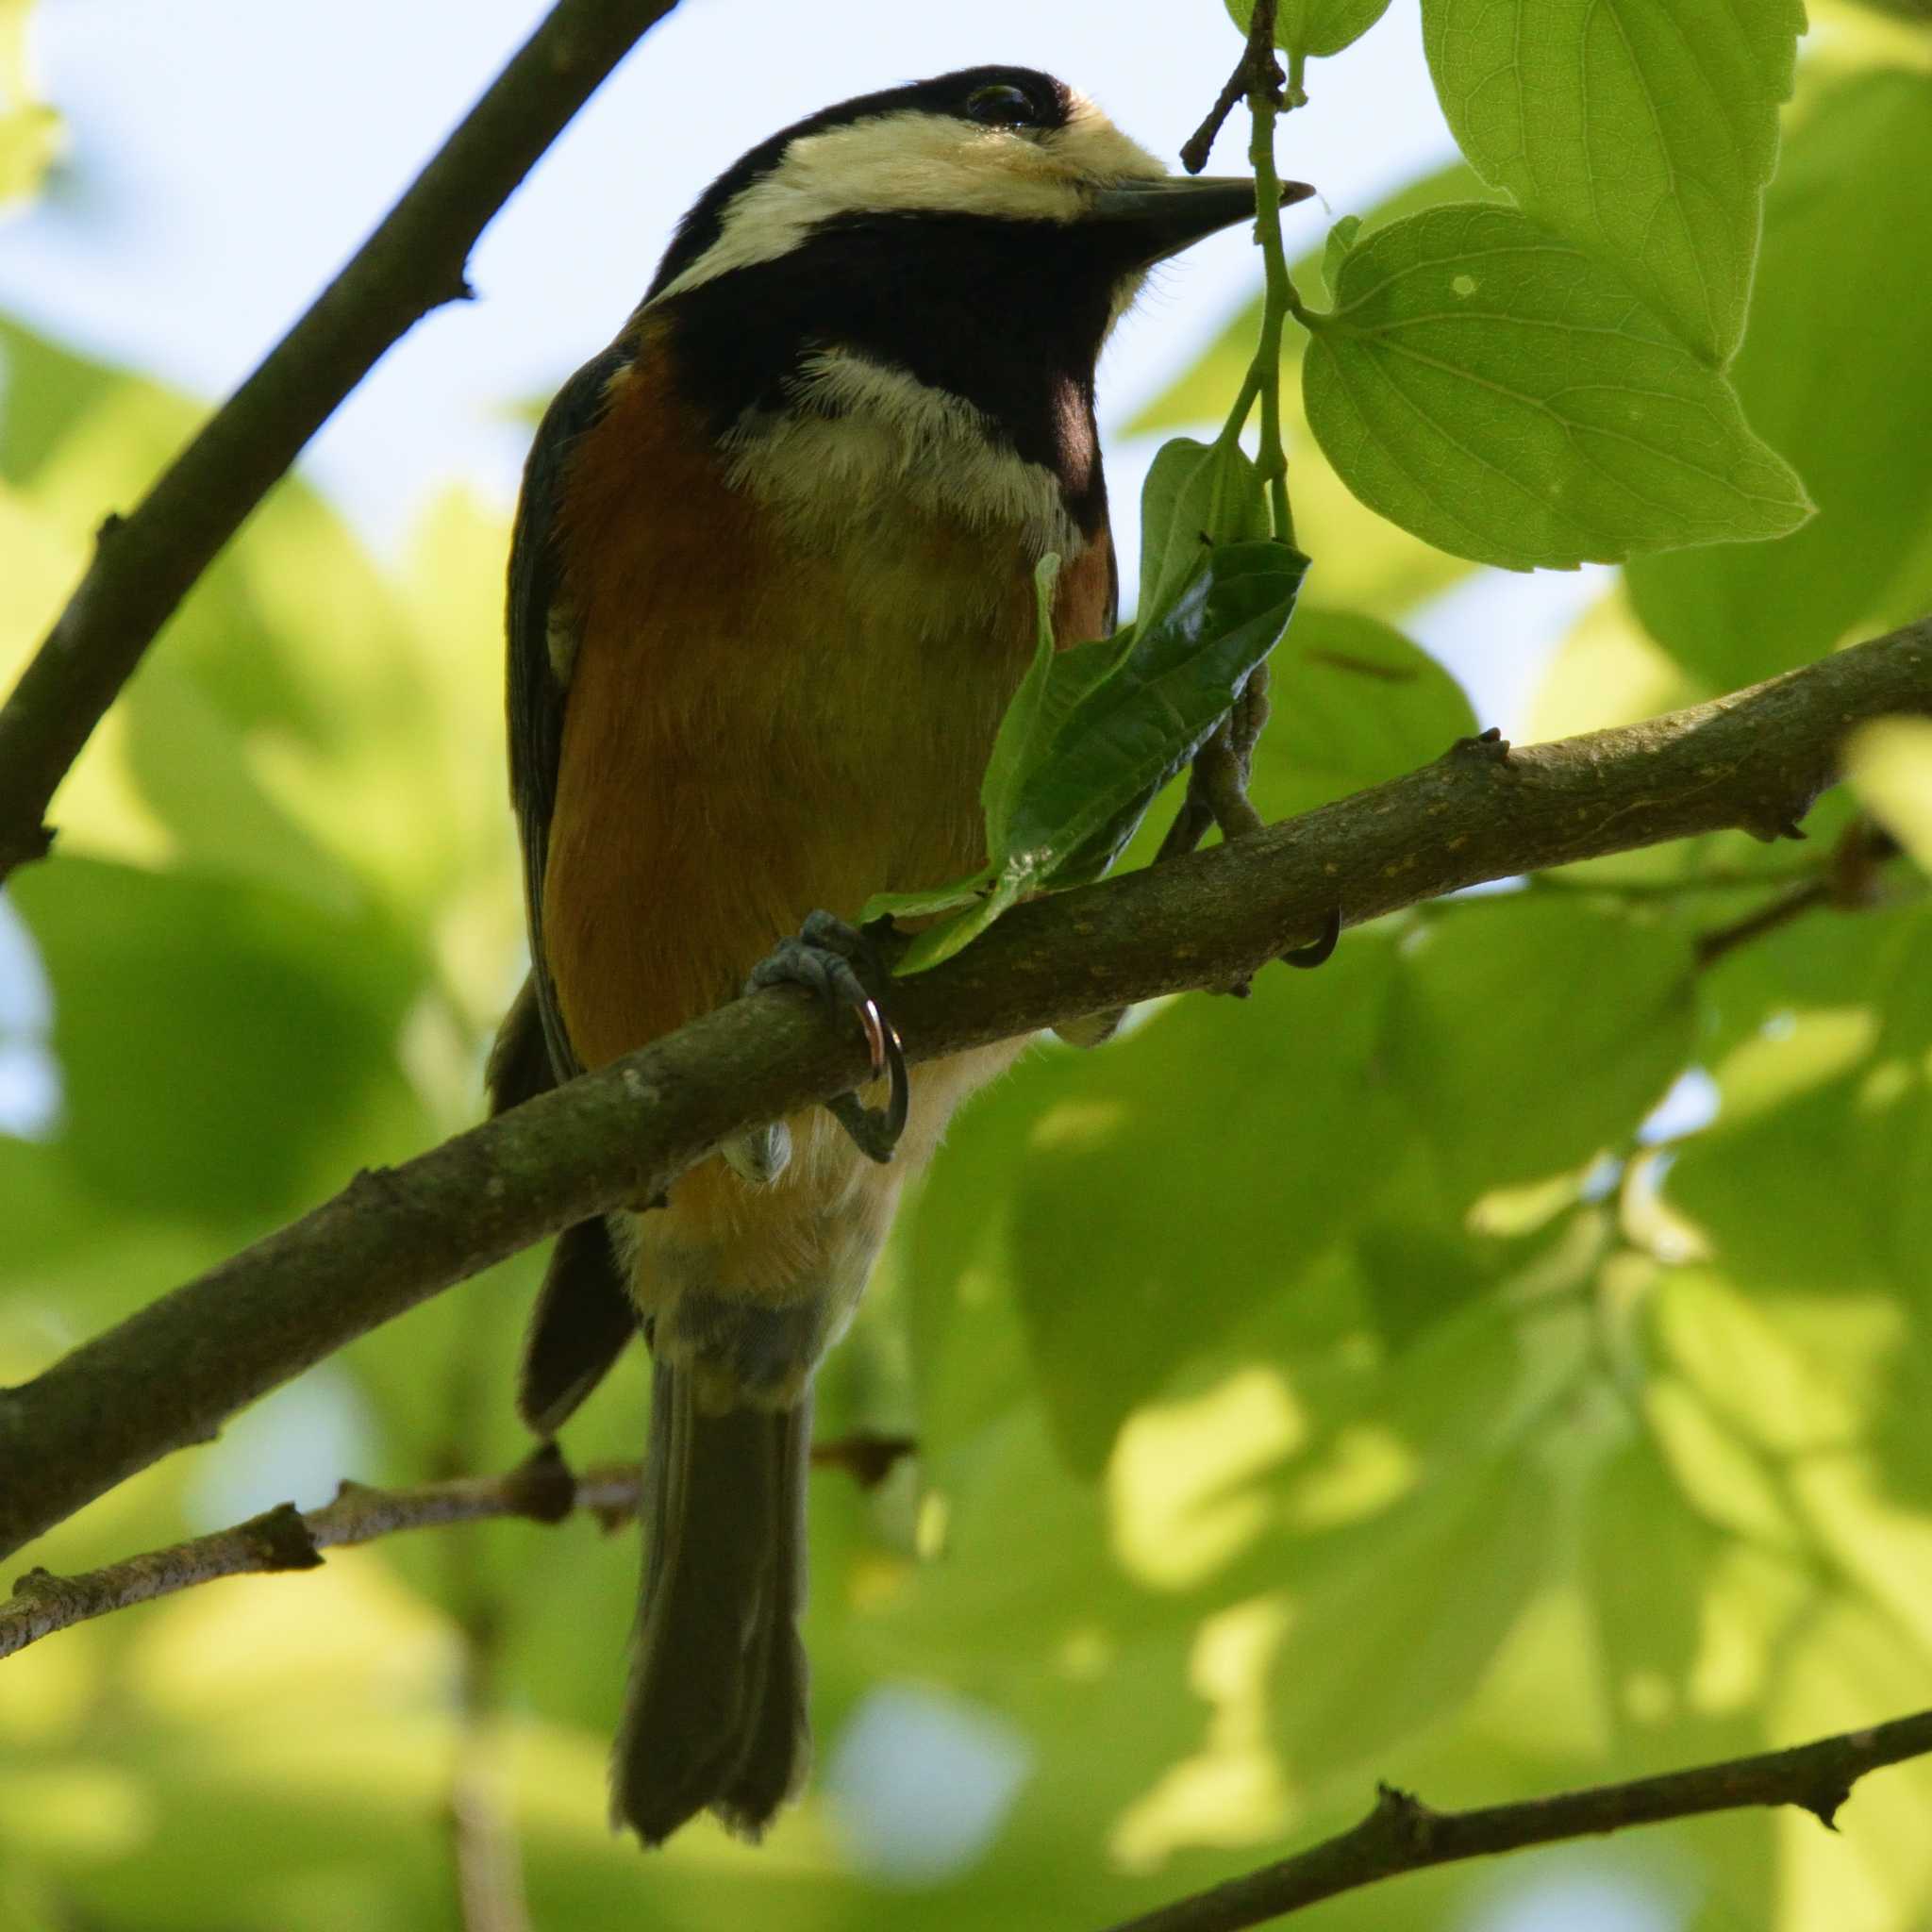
pixel 903 298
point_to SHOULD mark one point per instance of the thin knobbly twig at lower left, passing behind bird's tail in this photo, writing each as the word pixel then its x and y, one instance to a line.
pixel 285 1539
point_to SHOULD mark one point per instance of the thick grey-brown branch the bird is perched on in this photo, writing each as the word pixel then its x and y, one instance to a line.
pixel 177 1371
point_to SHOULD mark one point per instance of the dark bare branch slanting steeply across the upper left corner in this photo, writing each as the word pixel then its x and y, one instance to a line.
pixel 146 563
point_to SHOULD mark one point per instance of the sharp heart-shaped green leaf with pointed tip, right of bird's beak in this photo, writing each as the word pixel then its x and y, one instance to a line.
pixel 1504 397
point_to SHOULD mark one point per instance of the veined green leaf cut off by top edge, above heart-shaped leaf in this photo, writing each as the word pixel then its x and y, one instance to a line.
pixel 1641 130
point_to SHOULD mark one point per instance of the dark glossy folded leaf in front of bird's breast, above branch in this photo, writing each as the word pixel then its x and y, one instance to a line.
pixel 1143 724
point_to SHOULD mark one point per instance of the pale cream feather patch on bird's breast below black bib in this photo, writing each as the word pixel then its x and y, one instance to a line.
pixel 867 441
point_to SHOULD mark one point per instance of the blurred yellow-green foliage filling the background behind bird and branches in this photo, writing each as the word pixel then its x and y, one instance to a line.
pixel 1330 1386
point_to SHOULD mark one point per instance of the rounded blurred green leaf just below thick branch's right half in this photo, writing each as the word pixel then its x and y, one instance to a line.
pixel 1533 1037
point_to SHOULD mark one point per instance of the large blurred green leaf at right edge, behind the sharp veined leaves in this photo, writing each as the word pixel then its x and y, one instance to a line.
pixel 1834 372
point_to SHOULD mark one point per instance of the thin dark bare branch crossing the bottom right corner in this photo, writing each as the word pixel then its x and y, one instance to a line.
pixel 1406 1836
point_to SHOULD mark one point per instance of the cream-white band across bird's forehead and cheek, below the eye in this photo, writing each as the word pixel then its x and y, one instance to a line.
pixel 913 163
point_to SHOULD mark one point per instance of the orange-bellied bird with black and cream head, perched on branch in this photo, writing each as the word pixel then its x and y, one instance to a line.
pixel 770 594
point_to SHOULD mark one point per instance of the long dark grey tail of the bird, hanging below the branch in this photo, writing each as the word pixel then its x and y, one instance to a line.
pixel 716 1713
